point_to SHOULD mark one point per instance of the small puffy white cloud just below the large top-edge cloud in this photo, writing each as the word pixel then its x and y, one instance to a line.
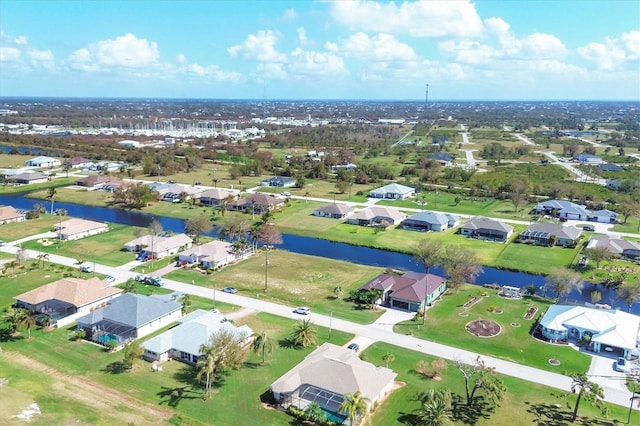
pixel 381 47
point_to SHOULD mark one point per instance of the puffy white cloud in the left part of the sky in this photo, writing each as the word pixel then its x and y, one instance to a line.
pixel 124 51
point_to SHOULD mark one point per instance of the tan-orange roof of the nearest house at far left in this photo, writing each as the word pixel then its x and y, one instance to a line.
pixel 76 291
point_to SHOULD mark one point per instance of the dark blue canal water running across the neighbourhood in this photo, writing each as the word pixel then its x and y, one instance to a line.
pixel 316 247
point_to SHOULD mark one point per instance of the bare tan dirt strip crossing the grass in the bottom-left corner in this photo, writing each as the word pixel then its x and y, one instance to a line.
pixel 81 389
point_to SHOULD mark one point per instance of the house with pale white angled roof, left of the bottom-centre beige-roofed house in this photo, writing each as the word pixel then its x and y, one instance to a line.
pixel 183 341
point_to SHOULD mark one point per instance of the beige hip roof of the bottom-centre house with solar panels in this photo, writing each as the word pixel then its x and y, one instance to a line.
pixel 338 370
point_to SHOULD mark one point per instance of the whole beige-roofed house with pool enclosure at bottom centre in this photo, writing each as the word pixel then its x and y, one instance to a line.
pixel 327 374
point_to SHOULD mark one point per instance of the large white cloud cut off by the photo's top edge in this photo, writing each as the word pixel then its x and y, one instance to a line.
pixel 419 19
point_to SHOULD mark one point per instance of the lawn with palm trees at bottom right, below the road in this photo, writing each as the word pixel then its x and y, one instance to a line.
pixel 524 402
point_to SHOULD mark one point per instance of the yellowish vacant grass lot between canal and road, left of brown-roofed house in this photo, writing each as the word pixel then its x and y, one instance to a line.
pixel 293 280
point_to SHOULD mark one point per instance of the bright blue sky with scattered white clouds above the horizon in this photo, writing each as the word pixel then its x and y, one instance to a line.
pixel 361 49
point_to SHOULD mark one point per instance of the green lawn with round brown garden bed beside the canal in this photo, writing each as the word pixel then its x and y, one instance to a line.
pixel 445 325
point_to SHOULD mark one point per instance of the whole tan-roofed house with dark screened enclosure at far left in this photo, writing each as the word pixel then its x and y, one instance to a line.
pixel 67 299
